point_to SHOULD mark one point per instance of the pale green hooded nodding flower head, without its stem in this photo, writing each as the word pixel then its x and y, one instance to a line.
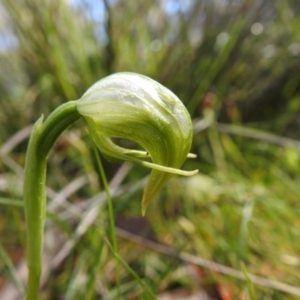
pixel 137 108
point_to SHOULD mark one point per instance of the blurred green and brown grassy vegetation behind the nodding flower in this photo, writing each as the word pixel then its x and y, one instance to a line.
pixel 232 62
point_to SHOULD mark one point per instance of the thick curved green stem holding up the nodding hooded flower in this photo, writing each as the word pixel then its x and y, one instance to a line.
pixel 41 141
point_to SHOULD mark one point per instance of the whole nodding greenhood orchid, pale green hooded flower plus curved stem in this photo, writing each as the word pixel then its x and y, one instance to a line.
pixel 124 105
